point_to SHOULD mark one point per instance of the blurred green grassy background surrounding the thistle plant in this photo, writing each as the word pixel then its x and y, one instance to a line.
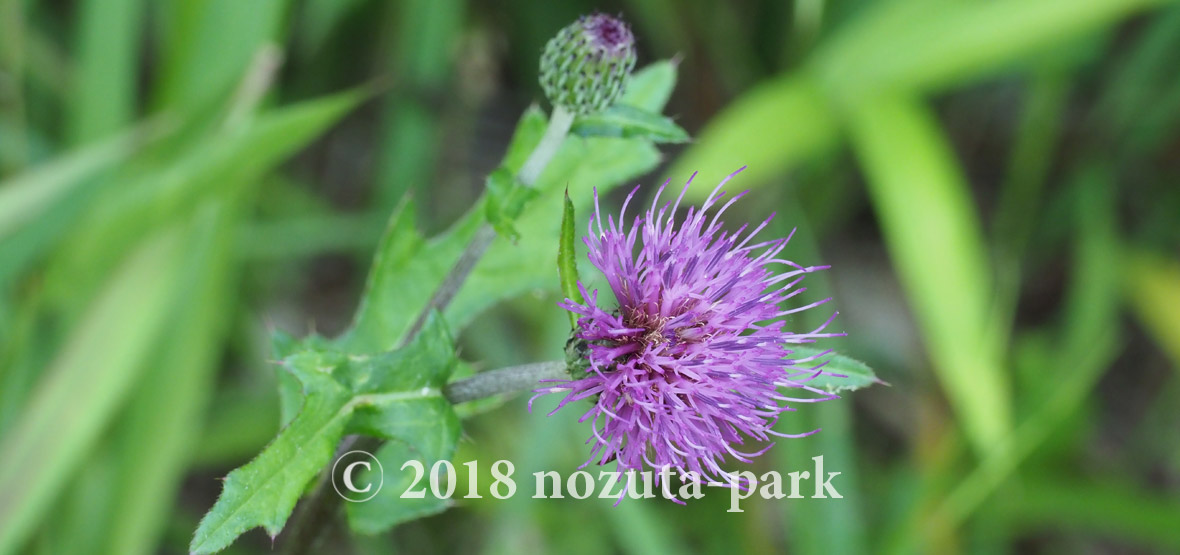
pixel 994 184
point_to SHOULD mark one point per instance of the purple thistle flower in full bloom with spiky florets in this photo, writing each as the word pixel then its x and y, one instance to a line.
pixel 696 357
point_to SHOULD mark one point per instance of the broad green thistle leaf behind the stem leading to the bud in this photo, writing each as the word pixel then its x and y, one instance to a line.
pixel 408 267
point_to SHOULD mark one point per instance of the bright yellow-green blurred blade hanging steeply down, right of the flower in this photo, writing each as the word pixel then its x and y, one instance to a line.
pixel 936 244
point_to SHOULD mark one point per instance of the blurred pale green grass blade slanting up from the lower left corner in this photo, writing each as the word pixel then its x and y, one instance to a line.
pixel 84 387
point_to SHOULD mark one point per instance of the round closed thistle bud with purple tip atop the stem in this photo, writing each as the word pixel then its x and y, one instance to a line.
pixel 586 68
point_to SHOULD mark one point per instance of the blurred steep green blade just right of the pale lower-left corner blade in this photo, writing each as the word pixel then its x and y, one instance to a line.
pixel 162 427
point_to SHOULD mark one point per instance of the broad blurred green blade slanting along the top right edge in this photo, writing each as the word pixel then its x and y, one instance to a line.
pixel 891 49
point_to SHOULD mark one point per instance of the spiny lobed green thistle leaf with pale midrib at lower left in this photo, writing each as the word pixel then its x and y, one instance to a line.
pixel 392 396
